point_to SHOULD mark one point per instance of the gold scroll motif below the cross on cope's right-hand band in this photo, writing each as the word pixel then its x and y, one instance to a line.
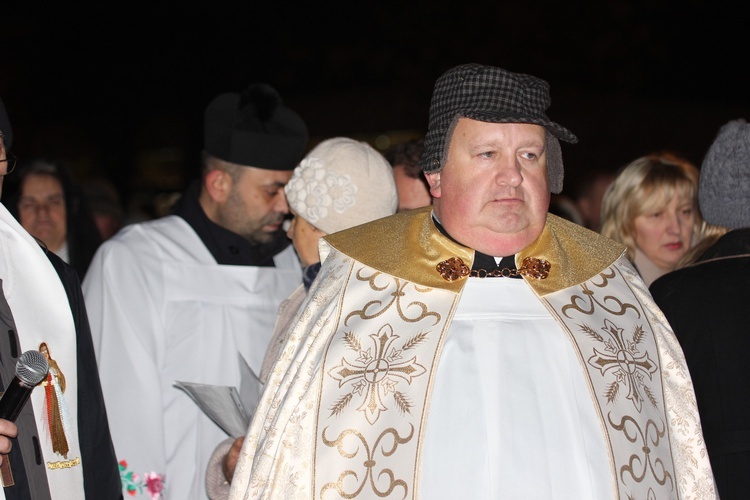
pixel 639 466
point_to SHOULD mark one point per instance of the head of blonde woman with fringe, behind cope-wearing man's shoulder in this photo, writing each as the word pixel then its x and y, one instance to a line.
pixel 652 207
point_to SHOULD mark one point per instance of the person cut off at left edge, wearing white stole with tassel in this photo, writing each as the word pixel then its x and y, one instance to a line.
pixel 41 308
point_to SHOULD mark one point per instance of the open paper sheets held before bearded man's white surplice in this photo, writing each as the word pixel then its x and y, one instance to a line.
pixel 229 408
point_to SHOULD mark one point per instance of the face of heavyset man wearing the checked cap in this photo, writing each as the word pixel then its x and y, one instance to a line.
pixel 492 194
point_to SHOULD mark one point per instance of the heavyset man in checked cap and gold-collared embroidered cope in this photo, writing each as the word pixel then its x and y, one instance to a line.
pixel 481 347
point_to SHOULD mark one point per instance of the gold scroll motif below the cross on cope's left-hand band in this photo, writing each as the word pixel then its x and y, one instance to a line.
pixel 387 442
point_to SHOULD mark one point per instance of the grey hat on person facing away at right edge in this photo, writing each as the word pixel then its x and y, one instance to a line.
pixel 724 189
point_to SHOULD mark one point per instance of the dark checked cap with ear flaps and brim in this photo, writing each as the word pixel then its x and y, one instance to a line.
pixel 494 95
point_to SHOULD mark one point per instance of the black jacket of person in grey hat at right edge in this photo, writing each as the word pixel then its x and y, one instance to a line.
pixel 706 304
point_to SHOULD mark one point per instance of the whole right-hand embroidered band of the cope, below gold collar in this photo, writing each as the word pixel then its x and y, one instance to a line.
pixel 620 354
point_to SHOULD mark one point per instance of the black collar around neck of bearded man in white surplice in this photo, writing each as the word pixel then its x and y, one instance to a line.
pixel 227 248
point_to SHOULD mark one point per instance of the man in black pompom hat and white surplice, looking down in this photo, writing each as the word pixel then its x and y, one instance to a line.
pixel 179 298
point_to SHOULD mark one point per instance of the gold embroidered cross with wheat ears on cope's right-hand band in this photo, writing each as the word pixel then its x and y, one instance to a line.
pixel 620 357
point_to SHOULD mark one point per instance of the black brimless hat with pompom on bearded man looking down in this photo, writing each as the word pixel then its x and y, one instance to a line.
pixel 255 129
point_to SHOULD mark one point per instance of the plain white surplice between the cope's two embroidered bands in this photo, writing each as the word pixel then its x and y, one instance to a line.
pixel 510 417
